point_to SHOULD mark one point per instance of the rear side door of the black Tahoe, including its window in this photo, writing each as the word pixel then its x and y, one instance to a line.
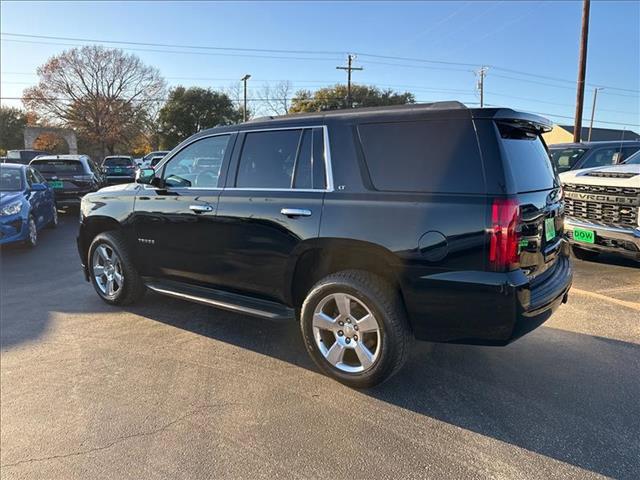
pixel 272 203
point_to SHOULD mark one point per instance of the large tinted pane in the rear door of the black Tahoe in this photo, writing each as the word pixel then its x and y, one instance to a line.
pixel 268 159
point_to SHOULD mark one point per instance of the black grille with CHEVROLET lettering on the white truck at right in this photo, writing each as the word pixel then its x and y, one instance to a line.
pixel 605 212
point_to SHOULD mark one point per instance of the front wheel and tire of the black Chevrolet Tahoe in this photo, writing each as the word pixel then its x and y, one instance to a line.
pixel 112 271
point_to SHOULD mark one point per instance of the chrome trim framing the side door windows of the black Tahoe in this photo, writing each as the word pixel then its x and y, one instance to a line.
pixel 328 171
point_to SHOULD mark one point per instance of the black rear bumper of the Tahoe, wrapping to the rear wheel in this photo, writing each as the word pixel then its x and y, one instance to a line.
pixel 486 308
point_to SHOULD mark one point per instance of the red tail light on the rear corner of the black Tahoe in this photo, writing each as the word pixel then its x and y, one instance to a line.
pixel 503 234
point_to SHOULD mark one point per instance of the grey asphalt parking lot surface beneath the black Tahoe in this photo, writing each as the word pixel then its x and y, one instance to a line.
pixel 168 389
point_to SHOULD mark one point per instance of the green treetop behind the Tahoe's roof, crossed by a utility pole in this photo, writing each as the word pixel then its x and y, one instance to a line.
pixel 333 98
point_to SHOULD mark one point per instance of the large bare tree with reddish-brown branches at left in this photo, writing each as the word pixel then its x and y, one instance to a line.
pixel 104 94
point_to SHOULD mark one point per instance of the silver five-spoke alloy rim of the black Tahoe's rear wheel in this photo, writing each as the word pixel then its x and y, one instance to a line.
pixel 347 333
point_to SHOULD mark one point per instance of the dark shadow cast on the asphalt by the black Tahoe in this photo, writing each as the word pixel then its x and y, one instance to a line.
pixel 565 395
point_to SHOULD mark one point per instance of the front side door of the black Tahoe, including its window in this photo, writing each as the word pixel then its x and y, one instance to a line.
pixel 174 225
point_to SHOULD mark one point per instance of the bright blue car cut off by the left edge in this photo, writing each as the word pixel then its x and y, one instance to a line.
pixel 27 204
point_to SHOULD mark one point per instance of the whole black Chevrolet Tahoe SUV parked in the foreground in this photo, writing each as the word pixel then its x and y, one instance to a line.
pixel 369 226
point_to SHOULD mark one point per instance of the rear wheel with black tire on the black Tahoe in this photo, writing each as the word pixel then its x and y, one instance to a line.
pixel 355 328
